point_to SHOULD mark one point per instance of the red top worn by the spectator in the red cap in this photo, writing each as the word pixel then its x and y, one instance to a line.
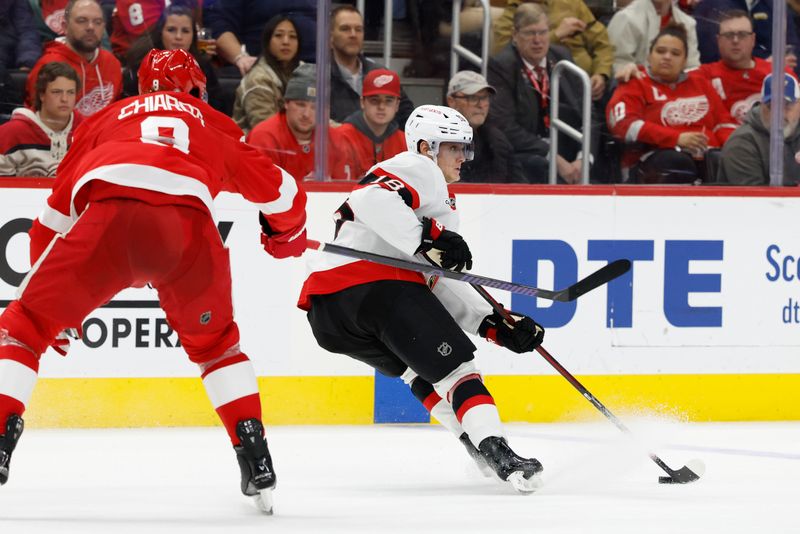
pixel 366 148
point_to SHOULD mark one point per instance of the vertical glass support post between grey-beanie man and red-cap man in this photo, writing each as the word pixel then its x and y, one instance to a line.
pixel 323 110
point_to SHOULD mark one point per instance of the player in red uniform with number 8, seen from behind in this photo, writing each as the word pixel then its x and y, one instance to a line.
pixel 133 204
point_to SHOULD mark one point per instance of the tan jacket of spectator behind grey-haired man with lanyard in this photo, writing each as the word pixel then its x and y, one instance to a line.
pixel 573 25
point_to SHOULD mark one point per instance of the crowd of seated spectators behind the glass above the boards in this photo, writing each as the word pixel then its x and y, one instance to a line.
pixel 647 91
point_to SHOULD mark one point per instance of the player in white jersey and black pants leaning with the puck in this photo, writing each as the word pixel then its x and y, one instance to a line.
pixel 403 325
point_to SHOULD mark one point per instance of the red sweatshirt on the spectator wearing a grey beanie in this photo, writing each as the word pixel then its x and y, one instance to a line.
pixel 274 138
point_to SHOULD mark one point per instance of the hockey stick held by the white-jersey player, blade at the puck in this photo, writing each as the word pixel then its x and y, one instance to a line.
pixel 684 475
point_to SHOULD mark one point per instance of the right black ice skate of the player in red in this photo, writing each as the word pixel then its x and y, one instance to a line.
pixel 255 463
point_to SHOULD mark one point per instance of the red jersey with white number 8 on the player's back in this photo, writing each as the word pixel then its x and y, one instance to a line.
pixel 165 143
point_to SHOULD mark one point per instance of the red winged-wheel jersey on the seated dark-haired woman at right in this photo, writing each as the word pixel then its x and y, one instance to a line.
pixel 653 113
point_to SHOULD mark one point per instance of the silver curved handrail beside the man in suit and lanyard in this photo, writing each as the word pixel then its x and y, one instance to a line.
pixel 584 136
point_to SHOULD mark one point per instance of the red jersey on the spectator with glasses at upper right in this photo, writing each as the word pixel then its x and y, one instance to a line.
pixel 738 88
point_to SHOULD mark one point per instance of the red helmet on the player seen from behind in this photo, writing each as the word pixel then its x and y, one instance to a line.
pixel 171 70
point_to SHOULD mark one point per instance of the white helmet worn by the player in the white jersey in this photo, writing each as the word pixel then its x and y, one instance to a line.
pixel 436 125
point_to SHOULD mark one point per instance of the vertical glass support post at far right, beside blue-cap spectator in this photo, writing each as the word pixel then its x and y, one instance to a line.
pixel 776 106
